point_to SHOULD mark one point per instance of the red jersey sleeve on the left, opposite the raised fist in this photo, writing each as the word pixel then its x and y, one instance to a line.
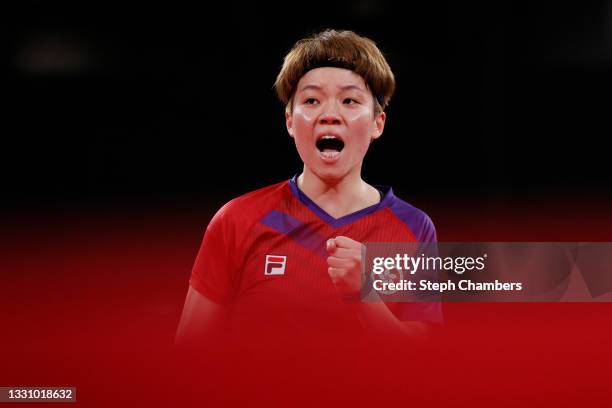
pixel 214 274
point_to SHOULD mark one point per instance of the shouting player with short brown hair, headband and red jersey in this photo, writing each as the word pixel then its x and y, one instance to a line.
pixel 285 259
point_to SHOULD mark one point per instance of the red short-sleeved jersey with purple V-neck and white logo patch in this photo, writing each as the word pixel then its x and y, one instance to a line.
pixel 264 255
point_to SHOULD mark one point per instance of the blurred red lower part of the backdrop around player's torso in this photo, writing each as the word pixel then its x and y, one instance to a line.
pixel 93 299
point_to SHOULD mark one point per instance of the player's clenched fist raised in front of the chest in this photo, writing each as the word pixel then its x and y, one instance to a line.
pixel 344 263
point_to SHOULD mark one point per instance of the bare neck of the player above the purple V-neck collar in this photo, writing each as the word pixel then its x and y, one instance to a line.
pixel 338 197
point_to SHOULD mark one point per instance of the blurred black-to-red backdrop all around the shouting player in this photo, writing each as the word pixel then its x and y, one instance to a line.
pixel 126 127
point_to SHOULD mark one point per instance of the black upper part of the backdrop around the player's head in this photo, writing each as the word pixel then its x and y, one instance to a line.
pixel 113 105
